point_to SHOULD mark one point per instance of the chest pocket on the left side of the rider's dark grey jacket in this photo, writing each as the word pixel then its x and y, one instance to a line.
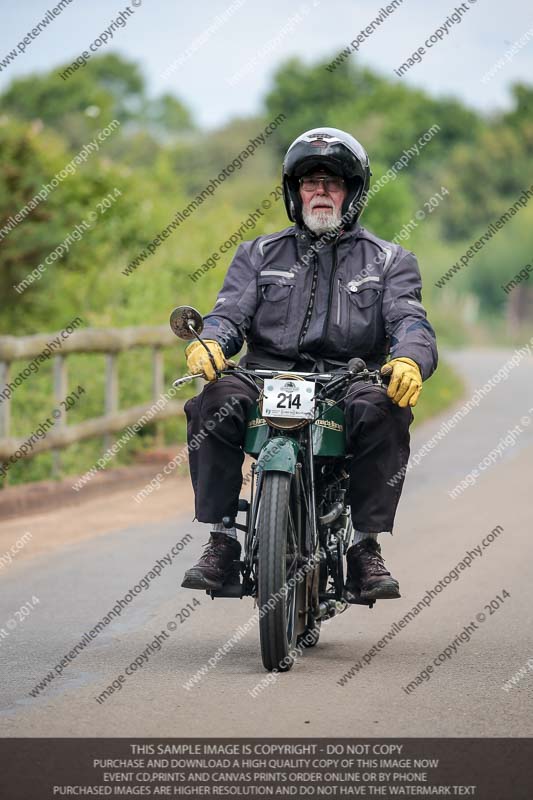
pixel 275 291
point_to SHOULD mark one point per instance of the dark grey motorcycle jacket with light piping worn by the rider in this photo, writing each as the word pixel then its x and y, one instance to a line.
pixel 300 301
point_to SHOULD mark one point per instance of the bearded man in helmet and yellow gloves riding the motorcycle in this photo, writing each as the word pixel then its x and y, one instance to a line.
pixel 310 298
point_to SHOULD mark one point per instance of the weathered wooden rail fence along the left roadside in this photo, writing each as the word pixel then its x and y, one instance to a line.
pixel 111 342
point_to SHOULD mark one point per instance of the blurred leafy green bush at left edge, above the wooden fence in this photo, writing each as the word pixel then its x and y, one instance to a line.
pixel 31 158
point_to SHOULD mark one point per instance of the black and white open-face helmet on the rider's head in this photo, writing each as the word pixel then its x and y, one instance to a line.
pixel 337 151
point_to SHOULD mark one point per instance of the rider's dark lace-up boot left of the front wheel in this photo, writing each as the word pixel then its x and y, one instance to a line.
pixel 216 565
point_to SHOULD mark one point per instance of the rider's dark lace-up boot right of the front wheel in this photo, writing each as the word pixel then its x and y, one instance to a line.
pixel 367 575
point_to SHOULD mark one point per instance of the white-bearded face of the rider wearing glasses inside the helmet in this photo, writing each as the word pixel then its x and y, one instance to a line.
pixel 321 206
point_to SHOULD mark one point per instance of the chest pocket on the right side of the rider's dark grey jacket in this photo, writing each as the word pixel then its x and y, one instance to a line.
pixel 358 308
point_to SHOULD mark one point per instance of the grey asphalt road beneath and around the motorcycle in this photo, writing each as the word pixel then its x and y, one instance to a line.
pixel 78 579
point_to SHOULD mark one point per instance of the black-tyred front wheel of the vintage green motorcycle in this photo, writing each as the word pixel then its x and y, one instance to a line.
pixel 278 560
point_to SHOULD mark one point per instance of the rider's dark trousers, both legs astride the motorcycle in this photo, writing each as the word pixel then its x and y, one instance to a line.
pixel 377 435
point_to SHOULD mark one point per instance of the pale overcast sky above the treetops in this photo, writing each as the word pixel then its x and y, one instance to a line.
pixel 159 32
